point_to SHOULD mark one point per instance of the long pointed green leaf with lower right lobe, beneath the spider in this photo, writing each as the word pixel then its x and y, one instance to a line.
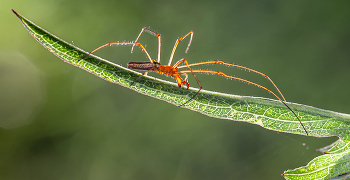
pixel 268 113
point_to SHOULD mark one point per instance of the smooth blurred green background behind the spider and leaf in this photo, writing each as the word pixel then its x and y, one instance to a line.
pixel 60 122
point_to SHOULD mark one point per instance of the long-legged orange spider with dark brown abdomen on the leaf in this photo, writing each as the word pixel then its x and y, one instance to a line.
pixel 175 72
